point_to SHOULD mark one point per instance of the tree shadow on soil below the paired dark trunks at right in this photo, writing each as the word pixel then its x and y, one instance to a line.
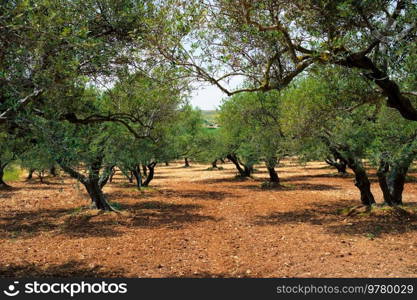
pixel 378 221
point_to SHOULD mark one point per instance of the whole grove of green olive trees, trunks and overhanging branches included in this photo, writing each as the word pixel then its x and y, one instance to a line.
pixel 93 85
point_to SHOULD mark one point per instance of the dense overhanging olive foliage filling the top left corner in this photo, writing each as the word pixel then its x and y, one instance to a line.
pixel 52 47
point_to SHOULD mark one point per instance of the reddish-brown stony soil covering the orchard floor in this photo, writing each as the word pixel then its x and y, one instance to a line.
pixel 199 223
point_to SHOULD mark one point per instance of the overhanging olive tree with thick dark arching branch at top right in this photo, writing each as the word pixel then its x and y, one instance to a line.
pixel 270 42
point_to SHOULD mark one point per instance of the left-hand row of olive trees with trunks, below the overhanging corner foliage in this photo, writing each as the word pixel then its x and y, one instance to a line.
pixel 155 125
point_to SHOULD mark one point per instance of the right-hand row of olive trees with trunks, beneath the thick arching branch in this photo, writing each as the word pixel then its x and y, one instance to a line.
pixel 319 117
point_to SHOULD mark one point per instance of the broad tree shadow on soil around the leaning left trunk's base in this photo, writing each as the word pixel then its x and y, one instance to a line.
pixel 84 223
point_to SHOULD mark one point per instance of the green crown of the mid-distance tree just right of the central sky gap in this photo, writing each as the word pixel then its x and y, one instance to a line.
pixel 250 126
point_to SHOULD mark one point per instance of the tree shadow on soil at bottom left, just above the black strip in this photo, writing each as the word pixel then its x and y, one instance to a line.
pixel 71 268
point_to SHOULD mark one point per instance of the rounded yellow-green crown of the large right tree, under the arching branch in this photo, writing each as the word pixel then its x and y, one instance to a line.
pixel 317 109
